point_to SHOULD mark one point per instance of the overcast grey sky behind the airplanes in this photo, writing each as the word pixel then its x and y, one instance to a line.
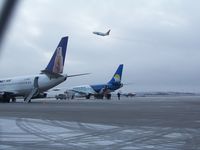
pixel 156 40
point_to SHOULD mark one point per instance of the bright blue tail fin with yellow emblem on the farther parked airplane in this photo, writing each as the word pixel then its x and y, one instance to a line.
pixel 117 76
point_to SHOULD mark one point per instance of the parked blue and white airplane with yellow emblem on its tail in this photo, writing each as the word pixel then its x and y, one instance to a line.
pixel 100 90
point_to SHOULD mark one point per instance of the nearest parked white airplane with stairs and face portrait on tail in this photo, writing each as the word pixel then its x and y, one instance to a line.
pixel 34 86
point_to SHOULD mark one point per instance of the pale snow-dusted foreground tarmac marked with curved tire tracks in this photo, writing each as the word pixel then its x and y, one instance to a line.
pixel 24 133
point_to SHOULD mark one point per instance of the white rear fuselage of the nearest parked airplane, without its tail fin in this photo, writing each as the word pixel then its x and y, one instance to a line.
pixel 22 86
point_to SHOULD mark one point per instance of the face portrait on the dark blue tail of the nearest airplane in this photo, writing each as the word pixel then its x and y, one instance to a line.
pixel 58 63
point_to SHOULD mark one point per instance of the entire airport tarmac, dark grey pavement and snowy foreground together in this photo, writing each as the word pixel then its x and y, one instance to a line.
pixel 141 131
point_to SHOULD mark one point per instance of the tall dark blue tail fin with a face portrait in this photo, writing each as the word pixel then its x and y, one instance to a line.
pixel 57 61
